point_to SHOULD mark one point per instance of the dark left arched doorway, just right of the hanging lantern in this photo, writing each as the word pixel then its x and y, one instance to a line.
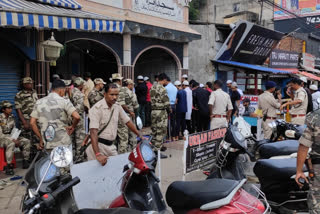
pixel 83 55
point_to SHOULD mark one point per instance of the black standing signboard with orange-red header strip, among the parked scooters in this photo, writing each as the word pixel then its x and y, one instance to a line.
pixel 200 149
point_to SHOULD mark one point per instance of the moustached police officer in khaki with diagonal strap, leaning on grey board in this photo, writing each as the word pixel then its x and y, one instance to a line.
pixel 104 117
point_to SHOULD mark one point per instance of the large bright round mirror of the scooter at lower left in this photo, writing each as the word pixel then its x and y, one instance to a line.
pixel 61 156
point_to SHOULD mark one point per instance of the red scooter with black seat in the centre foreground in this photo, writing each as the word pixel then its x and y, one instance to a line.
pixel 140 190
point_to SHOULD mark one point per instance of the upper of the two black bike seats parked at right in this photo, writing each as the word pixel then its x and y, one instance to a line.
pixel 286 147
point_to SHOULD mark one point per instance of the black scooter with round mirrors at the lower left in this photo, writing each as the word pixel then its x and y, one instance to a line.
pixel 49 186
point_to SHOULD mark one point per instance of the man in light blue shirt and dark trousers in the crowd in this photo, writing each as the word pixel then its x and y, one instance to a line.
pixel 172 94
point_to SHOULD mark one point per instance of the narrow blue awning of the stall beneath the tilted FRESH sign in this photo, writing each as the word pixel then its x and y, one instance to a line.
pixel 251 67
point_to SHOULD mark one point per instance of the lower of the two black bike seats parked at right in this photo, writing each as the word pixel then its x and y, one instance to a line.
pixel 276 169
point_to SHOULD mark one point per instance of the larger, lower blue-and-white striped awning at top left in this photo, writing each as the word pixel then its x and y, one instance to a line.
pixel 23 13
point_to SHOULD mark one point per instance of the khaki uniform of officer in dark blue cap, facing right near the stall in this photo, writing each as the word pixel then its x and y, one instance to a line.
pixel 269 105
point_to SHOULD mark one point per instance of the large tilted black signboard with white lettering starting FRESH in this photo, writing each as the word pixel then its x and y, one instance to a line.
pixel 249 43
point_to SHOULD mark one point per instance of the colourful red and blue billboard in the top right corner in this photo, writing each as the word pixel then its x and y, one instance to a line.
pixel 299 7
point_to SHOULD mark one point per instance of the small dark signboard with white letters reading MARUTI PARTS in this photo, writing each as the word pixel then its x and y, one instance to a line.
pixel 284 59
